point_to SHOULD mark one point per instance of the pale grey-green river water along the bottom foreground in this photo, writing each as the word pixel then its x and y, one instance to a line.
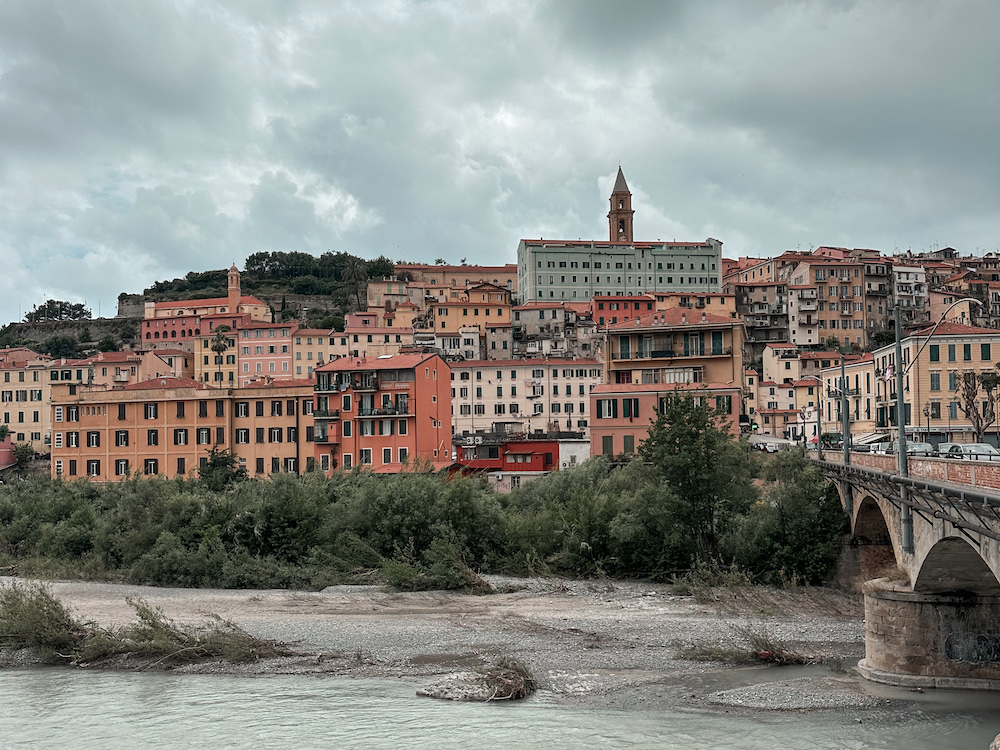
pixel 61 708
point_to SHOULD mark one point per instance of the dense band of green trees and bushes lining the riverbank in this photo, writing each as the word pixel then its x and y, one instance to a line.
pixel 688 500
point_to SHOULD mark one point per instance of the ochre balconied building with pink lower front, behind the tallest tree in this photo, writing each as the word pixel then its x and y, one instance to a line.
pixel 648 358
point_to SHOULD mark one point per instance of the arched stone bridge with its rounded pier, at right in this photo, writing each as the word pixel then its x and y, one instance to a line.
pixel 928 549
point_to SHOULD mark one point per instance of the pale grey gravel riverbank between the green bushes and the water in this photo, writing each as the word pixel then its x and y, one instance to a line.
pixel 618 644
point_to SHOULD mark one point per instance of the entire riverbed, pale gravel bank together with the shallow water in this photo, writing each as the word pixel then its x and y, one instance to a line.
pixel 610 659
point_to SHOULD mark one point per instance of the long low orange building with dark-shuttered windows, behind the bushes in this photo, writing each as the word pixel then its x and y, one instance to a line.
pixel 168 426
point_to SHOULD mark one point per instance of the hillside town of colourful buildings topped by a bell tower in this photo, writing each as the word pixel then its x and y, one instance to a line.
pixel 518 370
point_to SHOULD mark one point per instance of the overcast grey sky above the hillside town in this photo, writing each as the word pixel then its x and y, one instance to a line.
pixel 143 140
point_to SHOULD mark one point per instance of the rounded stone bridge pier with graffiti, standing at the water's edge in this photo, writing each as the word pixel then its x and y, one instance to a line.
pixel 931 638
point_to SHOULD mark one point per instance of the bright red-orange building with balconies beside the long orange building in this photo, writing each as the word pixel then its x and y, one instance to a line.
pixel 383 414
